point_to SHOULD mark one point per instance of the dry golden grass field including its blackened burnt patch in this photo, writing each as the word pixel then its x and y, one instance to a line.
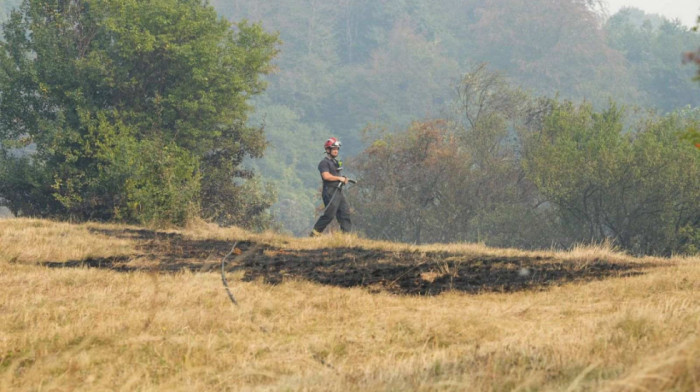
pixel 91 307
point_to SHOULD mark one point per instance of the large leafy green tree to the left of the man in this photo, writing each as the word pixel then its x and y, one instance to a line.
pixel 136 110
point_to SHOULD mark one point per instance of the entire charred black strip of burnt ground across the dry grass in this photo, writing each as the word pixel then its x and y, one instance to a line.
pixel 404 272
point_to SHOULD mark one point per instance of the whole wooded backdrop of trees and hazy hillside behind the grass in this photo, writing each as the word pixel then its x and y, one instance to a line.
pixel 494 117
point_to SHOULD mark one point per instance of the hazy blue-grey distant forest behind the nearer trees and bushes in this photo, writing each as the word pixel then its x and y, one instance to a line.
pixel 346 65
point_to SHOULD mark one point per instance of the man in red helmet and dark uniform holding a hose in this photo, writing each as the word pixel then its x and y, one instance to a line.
pixel 333 199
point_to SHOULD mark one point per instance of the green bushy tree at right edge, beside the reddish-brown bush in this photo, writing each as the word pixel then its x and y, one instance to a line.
pixel 638 187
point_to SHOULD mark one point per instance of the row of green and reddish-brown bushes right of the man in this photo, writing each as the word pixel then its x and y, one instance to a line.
pixel 514 171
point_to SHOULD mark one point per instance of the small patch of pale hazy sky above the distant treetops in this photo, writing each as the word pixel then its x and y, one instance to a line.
pixel 685 10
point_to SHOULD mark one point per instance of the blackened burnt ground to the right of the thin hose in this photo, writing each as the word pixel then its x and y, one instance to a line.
pixel 424 273
